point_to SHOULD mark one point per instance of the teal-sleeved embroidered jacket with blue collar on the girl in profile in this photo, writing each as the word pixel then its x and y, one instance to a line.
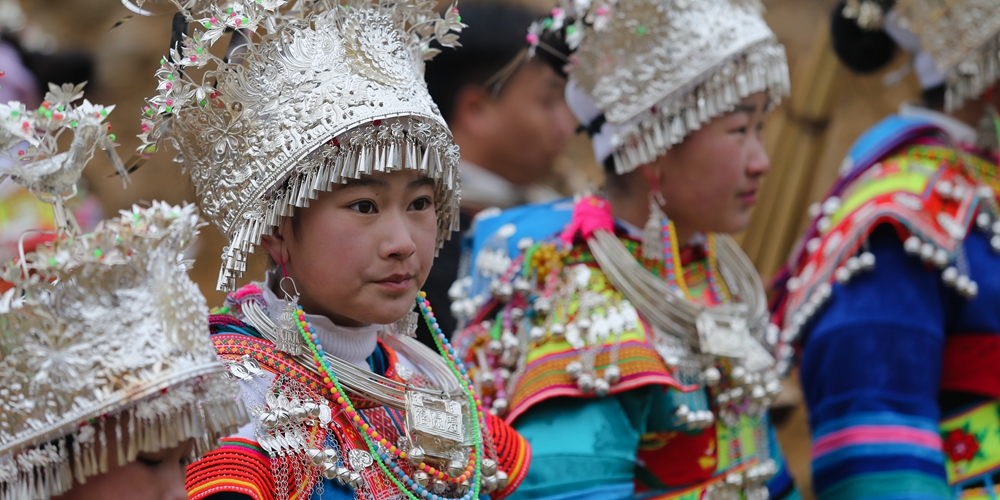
pixel 589 441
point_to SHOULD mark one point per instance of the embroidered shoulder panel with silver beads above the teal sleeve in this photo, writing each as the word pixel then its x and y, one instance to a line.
pixel 574 335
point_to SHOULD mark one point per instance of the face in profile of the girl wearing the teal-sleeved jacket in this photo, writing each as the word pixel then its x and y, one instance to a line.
pixel 710 181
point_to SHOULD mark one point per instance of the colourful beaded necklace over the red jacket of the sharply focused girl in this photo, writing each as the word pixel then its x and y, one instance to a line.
pixel 386 455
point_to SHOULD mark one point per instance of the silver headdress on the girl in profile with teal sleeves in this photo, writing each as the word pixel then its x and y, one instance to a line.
pixel 659 69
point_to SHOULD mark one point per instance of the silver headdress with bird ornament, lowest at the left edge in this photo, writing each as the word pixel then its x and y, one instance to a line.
pixel 104 347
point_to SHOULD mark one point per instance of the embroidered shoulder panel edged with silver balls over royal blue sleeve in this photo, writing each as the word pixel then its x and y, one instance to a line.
pixel 924 190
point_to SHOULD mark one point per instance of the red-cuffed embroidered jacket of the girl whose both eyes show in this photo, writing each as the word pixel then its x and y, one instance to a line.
pixel 265 465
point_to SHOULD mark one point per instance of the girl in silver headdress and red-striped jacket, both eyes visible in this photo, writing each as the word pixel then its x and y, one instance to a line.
pixel 321 144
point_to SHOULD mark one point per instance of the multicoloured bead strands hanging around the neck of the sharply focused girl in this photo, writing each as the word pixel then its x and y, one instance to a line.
pixel 375 441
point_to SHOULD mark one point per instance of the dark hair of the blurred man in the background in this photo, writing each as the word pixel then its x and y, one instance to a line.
pixel 495 36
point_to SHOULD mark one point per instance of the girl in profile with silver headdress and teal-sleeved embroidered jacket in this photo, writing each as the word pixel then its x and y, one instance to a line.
pixel 627 341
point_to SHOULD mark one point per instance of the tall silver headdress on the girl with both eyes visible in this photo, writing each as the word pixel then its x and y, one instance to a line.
pixel 317 94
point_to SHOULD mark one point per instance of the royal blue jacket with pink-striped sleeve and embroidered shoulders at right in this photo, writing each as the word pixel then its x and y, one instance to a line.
pixel 894 296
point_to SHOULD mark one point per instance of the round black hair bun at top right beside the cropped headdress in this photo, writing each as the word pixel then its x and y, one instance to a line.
pixel 861 50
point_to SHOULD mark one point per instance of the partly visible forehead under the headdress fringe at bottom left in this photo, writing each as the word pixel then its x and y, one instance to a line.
pixel 153 476
